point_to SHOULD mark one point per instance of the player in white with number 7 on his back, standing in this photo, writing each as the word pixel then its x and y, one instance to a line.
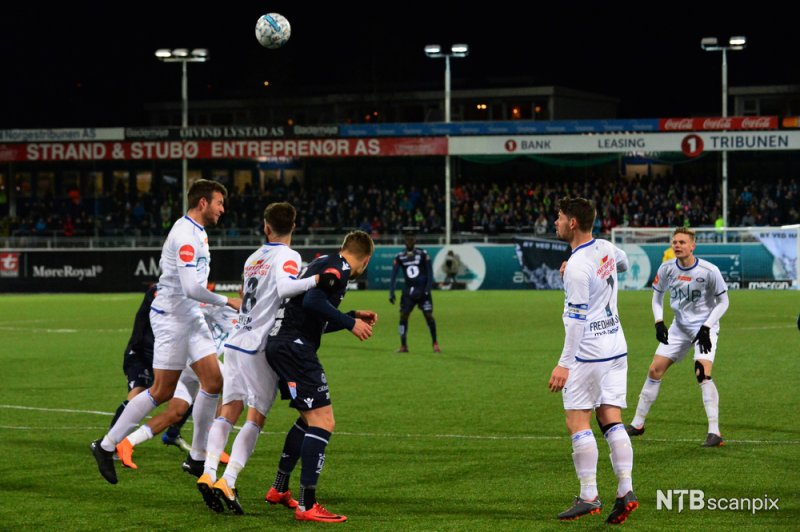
pixel 592 370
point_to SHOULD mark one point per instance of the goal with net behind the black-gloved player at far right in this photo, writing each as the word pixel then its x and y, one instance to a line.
pixel 748 257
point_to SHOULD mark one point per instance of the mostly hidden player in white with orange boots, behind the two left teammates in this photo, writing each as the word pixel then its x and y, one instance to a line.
pixel 220 321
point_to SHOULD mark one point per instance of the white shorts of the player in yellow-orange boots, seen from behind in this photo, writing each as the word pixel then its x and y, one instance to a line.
pixel 248 377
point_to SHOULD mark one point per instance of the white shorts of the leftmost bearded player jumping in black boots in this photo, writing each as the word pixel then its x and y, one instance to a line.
pixel 180 342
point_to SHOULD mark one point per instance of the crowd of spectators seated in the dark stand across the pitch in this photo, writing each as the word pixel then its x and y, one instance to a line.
pixel 481 206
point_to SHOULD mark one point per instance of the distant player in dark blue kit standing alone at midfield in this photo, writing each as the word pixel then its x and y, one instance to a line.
pixel 418 276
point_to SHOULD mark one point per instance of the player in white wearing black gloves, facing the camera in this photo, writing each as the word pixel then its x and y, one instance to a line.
pixel 698 297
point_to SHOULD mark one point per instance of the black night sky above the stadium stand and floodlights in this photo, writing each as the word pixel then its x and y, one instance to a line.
pixel 88 64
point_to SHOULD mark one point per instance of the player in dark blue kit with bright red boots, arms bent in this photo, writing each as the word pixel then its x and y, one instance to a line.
pixel 292 352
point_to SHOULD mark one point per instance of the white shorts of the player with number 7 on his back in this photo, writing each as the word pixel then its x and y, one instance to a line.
pixel 591 384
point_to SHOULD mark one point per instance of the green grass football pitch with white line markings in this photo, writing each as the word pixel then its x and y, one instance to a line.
pixel 467 440
